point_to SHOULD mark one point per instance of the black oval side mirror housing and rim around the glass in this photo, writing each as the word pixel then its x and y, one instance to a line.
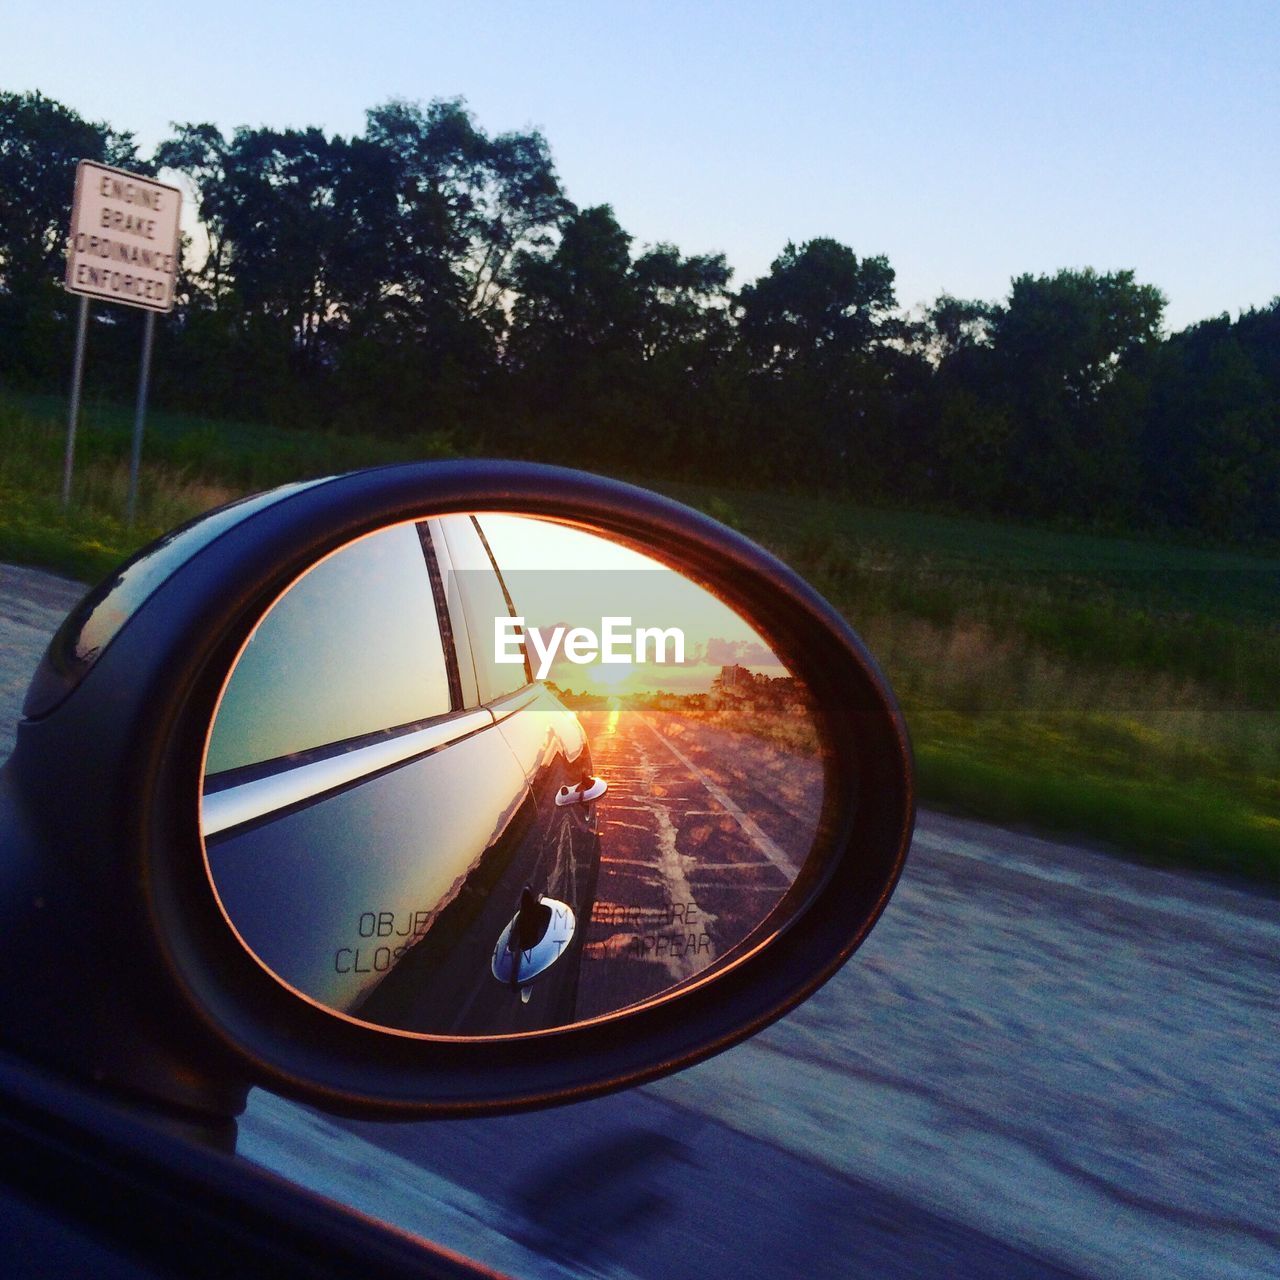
pixel 124 970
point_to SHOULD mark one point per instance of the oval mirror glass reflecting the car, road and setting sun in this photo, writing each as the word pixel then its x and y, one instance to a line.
pixel 488 775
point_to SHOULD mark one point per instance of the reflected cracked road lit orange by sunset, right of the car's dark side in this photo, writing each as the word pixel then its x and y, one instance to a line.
pixel 697 847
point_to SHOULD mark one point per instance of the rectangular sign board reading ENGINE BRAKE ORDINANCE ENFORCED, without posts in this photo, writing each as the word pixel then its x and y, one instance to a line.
pixel 125 237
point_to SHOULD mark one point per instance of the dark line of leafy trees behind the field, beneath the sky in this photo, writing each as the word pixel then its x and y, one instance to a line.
pixel 429 277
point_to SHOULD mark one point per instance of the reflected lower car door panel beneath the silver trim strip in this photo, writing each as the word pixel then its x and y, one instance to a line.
pixel 331 895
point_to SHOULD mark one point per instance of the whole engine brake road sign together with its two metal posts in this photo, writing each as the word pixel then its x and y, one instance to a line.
pixel 124 248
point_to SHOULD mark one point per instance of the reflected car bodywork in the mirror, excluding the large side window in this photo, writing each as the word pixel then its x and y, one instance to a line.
pixel 380 885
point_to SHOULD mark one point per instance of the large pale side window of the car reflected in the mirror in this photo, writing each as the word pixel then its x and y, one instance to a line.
pixel 354 647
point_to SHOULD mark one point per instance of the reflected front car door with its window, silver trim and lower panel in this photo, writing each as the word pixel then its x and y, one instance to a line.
pixel 350 789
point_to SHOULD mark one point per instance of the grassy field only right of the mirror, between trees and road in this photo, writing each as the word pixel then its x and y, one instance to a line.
pixel 1094 687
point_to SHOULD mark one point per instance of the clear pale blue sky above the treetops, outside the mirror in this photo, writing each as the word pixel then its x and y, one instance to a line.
pixel 970 143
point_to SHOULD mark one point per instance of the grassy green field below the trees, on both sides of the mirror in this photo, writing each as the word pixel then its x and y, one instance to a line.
pixel 1105 688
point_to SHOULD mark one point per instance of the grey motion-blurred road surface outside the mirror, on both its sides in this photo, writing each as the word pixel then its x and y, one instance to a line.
pixel 1045 1062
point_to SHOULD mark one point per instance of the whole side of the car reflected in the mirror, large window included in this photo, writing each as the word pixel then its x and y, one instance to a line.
pixel 368 860
